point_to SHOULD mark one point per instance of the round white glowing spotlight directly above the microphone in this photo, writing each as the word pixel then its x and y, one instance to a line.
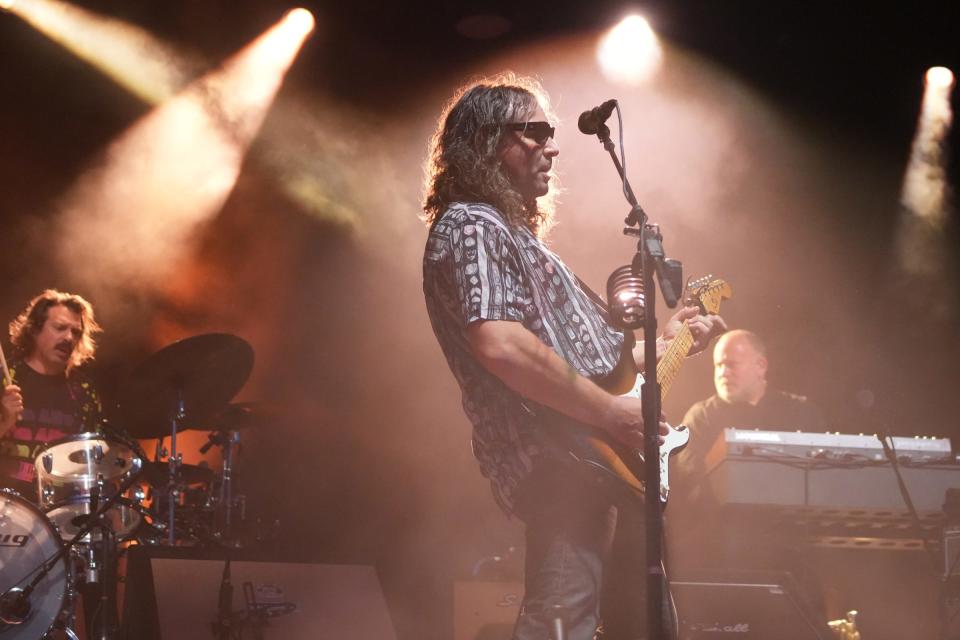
pixel 630 52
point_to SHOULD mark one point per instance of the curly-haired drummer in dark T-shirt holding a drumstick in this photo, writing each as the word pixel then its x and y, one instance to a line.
pixel 48 397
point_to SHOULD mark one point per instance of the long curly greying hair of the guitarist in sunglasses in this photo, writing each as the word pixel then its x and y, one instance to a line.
pixel 463 165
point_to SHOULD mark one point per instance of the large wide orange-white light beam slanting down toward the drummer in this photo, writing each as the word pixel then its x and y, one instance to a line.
pixel 130 221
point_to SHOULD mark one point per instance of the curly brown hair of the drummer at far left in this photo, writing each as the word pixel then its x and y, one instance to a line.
pixel 24 329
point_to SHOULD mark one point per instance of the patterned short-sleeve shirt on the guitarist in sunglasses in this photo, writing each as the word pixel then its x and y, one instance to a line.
pixel 477 267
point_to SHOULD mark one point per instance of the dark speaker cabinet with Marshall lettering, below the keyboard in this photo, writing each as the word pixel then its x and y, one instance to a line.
pixel 749 605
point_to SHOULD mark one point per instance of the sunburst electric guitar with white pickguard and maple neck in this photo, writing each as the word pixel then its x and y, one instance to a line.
pixel 597 450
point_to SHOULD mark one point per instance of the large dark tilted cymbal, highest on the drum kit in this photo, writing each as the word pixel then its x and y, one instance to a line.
pixel 204 371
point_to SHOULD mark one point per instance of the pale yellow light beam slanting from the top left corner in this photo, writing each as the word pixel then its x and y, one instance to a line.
pixel 138 61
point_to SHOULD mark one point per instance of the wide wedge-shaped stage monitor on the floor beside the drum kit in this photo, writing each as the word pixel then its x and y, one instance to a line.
pixel 176 598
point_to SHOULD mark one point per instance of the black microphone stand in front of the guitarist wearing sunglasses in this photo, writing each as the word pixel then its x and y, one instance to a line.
pixel 650 256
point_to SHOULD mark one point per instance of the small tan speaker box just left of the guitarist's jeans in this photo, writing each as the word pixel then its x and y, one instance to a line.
pixel 485 609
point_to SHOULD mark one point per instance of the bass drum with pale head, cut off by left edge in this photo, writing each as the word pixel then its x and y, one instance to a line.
pixel 27 540
